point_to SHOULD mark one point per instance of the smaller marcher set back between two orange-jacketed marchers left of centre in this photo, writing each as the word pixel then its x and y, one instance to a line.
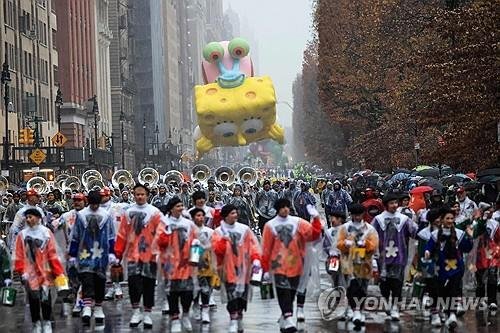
pixel 207 276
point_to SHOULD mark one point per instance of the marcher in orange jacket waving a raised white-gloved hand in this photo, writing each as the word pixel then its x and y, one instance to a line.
pixel 283 245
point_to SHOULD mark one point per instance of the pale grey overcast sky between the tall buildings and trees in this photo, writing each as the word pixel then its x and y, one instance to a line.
pixel 281 29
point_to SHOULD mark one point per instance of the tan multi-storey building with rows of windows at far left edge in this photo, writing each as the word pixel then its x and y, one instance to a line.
pixel 28 46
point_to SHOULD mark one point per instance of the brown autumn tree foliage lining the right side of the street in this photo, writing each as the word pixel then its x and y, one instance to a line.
pixel 390 74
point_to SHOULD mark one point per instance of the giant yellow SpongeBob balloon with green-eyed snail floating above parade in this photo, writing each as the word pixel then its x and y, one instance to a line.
pixel 234 108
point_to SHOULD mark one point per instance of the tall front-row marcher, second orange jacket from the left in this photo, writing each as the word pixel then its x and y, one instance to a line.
pixel 135 241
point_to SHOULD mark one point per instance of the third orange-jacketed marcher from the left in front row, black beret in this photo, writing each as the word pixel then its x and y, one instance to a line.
pixel 175 237
